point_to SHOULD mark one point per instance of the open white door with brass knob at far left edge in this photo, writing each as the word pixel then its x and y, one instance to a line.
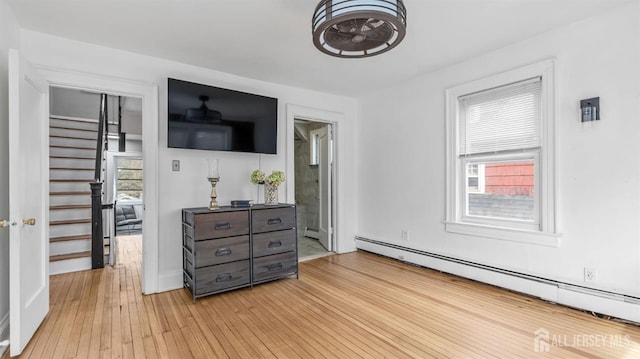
pixel 28 201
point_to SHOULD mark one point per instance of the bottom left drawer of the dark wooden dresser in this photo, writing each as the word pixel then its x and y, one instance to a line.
pixel 214 278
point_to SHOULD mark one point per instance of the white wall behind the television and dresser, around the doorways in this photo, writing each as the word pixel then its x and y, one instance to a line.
pixel 189 187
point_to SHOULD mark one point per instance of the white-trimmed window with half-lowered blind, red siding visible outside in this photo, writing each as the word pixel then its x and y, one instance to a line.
pixel 500 156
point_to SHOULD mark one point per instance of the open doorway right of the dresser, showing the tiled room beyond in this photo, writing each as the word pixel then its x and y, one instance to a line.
pixel 313 163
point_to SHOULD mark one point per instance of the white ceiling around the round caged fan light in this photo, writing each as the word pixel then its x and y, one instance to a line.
pixel 270 40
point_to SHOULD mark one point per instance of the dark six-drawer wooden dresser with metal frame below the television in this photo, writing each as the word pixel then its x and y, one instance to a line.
pixel 232 248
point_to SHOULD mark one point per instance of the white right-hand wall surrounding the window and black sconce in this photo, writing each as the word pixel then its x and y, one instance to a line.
pixel 598 166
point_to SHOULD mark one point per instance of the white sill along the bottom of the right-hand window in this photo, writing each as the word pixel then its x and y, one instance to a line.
pixel 507 234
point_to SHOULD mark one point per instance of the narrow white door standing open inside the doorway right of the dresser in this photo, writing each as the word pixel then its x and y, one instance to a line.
pixel 324 183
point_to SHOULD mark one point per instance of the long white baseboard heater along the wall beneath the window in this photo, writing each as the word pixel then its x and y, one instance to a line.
pixel 599 301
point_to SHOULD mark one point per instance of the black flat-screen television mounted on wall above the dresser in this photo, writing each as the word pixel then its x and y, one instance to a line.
pixel 211 118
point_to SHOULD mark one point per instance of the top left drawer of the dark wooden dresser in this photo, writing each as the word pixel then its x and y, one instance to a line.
pixel 221 224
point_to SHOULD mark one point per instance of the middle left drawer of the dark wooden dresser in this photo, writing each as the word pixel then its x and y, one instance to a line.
pixel 221 250
